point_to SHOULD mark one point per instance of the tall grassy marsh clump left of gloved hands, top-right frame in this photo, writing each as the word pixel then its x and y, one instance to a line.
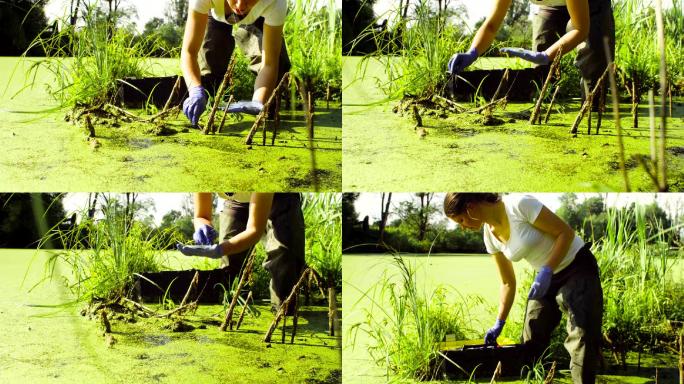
pixel 415 50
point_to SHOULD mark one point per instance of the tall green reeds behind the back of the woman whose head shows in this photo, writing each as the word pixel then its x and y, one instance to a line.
pixel 641 295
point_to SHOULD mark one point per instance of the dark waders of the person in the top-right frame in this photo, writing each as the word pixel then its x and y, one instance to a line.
pixel 550 23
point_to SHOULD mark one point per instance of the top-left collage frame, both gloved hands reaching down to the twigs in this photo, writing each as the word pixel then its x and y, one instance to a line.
pixel 102 95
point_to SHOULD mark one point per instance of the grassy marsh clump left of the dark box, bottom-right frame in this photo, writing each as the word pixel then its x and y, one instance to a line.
pixel 406 322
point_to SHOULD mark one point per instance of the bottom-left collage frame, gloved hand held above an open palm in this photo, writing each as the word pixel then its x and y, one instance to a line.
pixel 170 287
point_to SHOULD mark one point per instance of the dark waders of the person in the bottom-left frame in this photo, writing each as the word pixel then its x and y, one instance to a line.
pixel 283 240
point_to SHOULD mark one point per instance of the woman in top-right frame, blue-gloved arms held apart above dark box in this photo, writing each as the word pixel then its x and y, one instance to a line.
pixel 558 23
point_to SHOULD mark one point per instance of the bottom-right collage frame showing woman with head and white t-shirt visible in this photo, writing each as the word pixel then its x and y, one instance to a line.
pixel 436 287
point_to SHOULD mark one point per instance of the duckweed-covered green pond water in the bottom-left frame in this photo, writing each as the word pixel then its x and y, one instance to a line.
pixel 52 345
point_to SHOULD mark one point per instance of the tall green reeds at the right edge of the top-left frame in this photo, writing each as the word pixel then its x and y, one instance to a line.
pixel 314 41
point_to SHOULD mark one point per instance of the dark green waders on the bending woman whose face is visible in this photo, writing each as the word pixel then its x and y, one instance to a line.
pixel 576 291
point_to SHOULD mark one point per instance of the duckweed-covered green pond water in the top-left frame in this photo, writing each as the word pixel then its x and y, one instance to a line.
pixel 42 152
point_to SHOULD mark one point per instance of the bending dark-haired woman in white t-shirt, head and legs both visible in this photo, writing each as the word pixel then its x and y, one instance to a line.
pixel 567 279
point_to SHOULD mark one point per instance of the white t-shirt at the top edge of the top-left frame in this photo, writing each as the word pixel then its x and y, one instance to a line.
pixel 273 11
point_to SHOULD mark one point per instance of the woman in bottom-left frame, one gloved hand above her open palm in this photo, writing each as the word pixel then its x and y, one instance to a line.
pixel 276 219
